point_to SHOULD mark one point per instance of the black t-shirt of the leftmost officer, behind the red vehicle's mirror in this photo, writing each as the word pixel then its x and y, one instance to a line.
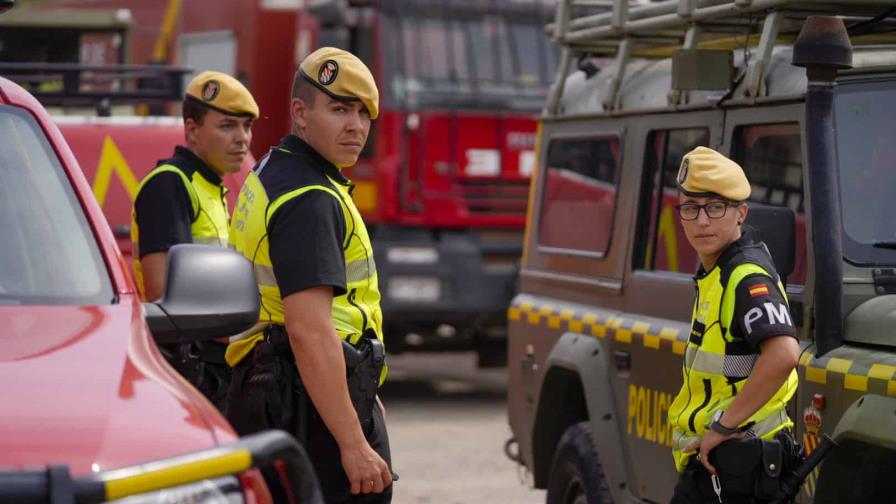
pixel 164 212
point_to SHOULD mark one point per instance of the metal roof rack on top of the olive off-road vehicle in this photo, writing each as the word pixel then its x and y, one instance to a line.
pixel 625 28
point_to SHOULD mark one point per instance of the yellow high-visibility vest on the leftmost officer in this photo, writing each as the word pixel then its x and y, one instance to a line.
pixel 210 217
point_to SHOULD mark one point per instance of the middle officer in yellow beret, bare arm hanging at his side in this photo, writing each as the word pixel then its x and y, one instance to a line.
pixel 296 221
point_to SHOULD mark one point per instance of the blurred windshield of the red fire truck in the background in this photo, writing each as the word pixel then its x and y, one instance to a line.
pixel 496 61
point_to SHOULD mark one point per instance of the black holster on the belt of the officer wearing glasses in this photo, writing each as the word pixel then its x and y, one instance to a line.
pixel 749 467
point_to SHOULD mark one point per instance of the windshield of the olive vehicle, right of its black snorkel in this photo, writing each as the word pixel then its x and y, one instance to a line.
pixel 865 116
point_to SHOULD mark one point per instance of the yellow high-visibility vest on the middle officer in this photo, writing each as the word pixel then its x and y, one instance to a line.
pixel 353 312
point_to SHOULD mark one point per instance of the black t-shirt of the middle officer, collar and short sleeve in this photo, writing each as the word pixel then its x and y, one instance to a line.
pixel 305 234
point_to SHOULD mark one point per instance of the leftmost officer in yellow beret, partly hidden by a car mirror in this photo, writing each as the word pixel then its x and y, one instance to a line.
pixel 182 201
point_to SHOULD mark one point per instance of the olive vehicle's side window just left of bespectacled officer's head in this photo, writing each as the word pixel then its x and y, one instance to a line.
pixel 661 243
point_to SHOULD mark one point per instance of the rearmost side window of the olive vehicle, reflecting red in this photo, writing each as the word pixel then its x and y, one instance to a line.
pixel 579 194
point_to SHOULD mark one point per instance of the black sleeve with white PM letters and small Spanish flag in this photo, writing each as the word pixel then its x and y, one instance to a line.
pixel 760 311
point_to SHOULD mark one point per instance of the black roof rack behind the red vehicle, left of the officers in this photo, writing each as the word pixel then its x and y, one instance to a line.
pixel 101 86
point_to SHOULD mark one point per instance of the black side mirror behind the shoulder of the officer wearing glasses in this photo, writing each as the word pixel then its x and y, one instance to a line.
pixel 776 226
